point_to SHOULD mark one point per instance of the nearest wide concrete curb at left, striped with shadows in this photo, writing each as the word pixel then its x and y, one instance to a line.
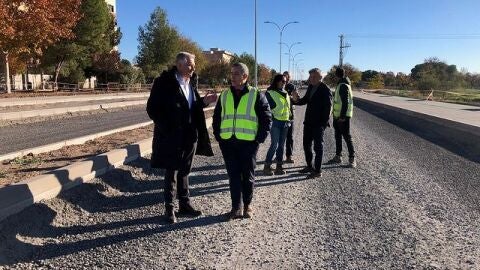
pixel 16 197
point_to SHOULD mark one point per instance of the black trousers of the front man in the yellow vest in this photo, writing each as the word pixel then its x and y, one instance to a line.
pixel 241 160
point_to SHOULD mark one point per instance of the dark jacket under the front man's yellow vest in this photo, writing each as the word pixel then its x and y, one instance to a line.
pixel 262 109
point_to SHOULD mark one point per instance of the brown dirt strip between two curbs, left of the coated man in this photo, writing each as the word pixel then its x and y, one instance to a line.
pixel 22 168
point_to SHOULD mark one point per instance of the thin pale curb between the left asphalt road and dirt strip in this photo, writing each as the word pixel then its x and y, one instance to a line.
pixel 79 140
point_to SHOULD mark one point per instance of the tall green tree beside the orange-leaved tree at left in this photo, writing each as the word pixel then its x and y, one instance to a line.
pixel 96 34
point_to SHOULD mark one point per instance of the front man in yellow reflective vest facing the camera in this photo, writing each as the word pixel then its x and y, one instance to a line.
pixel 241 121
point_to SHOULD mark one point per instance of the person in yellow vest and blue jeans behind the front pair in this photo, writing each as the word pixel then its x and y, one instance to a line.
pixel 279 102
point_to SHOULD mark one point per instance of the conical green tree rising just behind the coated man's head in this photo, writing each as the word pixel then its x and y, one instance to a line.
pixel 158 44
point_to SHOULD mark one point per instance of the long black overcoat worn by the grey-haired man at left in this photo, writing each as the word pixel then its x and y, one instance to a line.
pixel 175 124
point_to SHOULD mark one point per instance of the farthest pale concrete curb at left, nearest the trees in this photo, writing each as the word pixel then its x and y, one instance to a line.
pixel 7 102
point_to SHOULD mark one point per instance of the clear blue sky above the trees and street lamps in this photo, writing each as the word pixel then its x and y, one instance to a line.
pixel 399 34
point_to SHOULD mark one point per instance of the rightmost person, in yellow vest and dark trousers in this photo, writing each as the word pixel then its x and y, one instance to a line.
pixel 342 114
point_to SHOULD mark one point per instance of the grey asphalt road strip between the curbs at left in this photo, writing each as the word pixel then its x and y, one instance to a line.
pixel 22 136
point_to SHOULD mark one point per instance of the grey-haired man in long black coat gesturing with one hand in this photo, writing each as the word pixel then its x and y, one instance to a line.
pixel 176 108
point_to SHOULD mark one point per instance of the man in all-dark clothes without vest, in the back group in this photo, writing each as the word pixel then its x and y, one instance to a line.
pixel 319 104
